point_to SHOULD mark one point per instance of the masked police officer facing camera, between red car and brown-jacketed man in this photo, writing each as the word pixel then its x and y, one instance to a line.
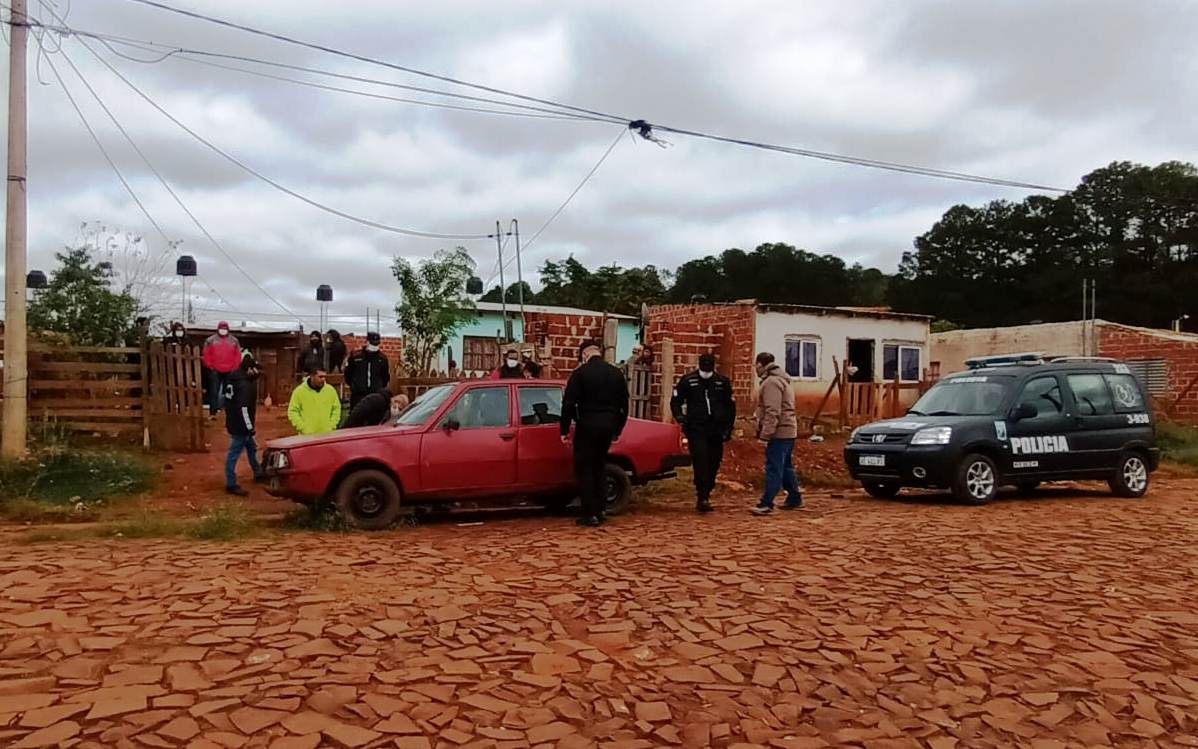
pixel 704 404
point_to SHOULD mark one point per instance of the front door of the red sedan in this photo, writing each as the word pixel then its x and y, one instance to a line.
pixel 473 448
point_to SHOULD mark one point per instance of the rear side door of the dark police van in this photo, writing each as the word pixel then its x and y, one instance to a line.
pixel 1102 432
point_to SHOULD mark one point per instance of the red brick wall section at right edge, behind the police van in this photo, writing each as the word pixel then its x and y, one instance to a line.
pixel 1181 351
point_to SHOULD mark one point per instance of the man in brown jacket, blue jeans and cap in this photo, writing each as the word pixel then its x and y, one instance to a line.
pixel 777 427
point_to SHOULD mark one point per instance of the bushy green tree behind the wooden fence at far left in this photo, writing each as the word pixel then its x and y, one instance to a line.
pixel 81 304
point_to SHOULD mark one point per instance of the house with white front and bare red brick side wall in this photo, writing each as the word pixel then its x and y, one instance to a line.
pixel 812 343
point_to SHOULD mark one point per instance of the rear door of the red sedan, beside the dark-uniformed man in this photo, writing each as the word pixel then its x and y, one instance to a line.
pixel 543 462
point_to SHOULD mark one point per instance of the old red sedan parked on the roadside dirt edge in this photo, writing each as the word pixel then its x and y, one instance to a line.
pixel 477 440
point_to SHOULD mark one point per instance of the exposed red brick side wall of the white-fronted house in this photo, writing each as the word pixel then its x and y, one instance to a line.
pixel 728 331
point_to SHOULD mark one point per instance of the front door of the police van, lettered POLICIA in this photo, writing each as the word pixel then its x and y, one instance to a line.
pixel 1040 444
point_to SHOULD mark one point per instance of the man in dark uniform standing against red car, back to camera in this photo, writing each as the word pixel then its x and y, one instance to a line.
pixel 597 402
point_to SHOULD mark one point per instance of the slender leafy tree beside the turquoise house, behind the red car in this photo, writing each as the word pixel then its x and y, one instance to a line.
pixel 434 304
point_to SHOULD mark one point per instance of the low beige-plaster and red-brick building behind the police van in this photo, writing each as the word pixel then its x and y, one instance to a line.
pixel 1165 361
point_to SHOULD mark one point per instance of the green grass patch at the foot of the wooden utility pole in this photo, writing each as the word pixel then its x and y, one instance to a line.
pixel 70 486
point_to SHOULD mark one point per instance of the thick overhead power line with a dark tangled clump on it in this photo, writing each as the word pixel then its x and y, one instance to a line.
pixel 644 128
